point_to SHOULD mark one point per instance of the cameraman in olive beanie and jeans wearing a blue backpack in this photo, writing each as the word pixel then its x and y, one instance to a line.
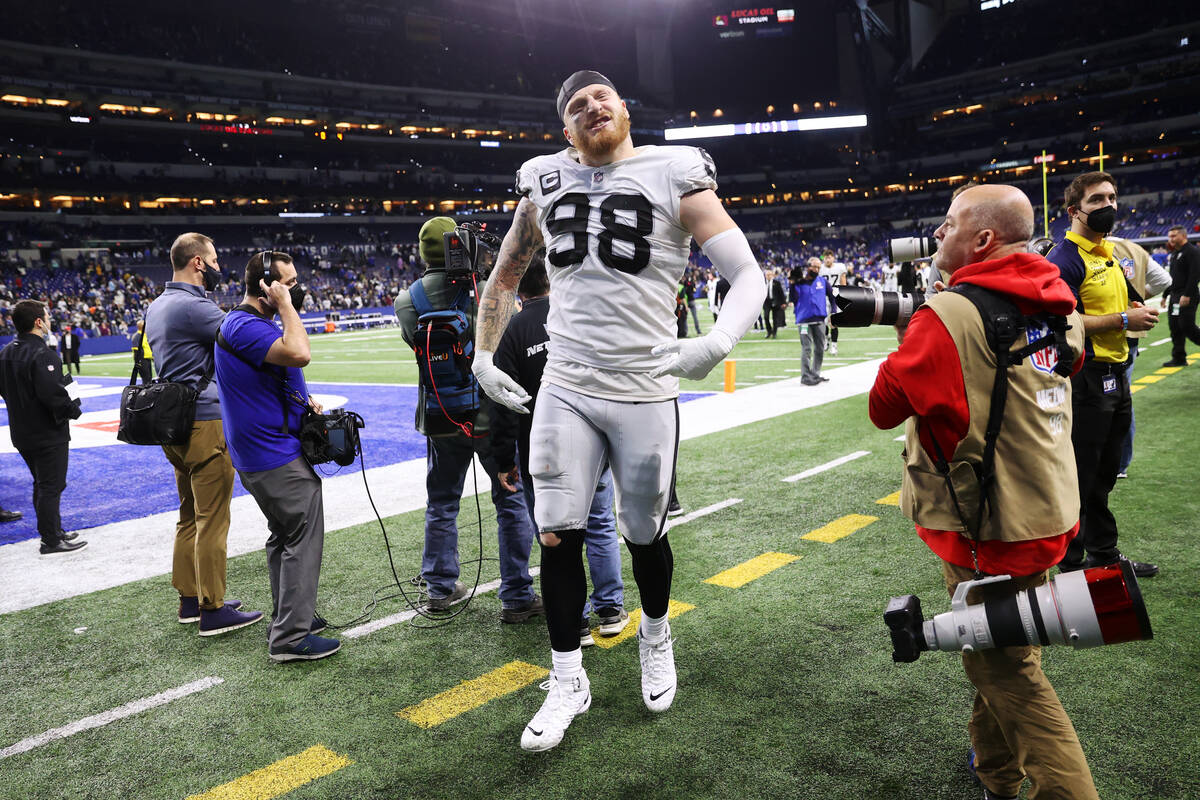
pixel 451 452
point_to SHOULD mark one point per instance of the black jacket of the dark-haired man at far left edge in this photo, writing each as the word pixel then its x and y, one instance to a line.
pixel 34 387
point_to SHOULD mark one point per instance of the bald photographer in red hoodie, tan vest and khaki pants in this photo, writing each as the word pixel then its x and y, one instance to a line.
pixel 941 381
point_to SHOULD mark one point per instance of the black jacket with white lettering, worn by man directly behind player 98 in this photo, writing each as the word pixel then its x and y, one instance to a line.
pixel 523 356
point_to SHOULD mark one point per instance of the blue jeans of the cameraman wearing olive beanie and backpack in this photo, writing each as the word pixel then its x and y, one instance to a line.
pixel 448 460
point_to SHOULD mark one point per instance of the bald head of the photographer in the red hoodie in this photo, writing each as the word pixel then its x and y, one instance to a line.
pixel 985 222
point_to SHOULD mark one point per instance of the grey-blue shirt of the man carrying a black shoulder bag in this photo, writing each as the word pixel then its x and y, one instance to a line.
pixel 182 326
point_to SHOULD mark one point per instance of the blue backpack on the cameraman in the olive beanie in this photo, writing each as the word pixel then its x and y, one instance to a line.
pixel 445 353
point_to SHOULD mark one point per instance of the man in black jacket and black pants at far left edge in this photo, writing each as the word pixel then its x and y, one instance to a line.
pixel 41 401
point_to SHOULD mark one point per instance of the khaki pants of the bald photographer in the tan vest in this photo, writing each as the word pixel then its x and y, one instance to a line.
pixel 1019 729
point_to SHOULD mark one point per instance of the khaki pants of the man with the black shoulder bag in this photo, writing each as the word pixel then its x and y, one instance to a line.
pixel 205 479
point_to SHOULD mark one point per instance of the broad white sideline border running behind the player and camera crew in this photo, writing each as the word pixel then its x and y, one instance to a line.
pixel 135 550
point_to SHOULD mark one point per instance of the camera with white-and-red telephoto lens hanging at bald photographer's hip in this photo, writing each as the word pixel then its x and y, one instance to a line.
pixel 1084 609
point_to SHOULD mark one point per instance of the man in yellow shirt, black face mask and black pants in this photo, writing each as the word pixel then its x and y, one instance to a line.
pixel 1101 390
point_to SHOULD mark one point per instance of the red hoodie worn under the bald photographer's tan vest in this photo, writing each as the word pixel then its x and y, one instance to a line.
pixel 925 378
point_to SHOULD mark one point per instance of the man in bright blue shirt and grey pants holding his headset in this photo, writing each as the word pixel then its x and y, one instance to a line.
pixel 263 400
